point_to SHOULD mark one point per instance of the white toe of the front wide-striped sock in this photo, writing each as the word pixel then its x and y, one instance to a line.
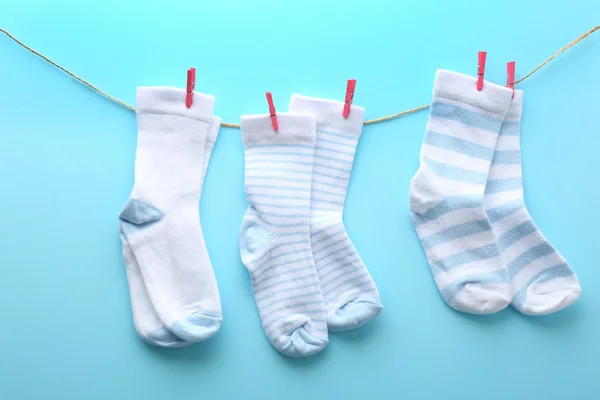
pixel 482 298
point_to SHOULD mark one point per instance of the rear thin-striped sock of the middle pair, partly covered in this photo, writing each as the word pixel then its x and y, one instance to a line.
pixel 351 297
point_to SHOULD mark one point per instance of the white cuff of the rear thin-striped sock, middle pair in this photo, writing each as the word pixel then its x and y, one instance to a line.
pixel 329 114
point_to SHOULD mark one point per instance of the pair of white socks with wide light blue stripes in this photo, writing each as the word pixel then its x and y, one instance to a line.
pixel 467 206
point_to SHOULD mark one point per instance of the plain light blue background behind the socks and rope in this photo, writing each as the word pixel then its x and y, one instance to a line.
pixel 66 169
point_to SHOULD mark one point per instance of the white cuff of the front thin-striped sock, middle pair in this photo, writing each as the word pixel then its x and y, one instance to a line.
pixel 293 129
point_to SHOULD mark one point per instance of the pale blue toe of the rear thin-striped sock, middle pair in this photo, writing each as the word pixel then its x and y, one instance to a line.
pixel 354 313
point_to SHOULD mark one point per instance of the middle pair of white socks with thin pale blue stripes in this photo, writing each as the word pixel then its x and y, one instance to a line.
pixel 307 277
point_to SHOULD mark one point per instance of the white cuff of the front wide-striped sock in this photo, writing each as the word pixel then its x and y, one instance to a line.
pixel 452 86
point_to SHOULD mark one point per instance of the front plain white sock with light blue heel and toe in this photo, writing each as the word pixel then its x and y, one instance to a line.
pixel 161 222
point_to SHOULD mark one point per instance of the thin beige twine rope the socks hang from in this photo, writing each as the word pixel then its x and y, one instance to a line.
pixel 232 125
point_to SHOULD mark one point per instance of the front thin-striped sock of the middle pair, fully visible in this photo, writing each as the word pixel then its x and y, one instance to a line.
pixel 274 238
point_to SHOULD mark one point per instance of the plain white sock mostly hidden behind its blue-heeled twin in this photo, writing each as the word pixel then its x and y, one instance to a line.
pixel 147 323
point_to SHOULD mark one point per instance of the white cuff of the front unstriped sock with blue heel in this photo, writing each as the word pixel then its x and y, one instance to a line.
pixel 168 100
